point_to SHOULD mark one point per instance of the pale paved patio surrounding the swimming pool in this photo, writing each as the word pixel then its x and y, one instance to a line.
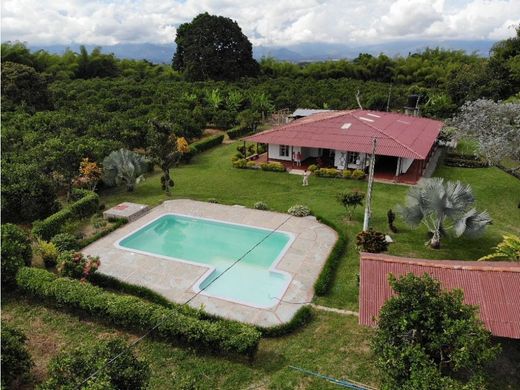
pixel 175 280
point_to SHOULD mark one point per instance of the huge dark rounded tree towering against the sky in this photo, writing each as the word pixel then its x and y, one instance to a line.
pixel 213 47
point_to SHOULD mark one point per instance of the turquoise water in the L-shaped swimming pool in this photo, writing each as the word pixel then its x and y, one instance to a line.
pixel 219 244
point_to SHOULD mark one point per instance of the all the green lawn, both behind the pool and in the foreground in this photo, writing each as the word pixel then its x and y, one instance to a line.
pixel 331 344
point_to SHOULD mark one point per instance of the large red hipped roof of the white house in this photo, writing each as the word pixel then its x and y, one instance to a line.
pixel 397 134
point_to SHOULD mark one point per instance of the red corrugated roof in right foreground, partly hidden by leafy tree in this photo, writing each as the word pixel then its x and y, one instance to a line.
pixel 493 286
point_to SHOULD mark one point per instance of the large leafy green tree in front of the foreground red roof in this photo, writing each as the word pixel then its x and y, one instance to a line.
pixel 429 339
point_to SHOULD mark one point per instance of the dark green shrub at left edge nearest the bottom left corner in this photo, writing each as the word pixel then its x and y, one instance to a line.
pixel 16 360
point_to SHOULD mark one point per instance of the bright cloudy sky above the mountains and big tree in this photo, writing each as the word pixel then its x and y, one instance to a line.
pixel 265 22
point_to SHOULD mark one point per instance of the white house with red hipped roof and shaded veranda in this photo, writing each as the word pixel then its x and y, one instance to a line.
pixel 344 139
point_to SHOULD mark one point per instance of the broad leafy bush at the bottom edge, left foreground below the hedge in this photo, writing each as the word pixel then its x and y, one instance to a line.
pixel 70 369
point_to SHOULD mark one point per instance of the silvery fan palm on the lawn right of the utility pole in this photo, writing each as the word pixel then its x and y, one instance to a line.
pixel 443 206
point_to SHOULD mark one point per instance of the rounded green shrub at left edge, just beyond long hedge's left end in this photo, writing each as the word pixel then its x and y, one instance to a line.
pixel 16 252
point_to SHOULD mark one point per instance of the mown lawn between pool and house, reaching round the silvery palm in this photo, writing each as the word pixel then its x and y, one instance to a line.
pixel 210 175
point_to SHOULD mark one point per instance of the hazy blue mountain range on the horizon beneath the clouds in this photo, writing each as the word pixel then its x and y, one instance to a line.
pixel 302 52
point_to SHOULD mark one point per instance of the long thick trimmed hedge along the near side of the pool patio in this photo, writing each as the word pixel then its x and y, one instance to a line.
pixel 136 314
